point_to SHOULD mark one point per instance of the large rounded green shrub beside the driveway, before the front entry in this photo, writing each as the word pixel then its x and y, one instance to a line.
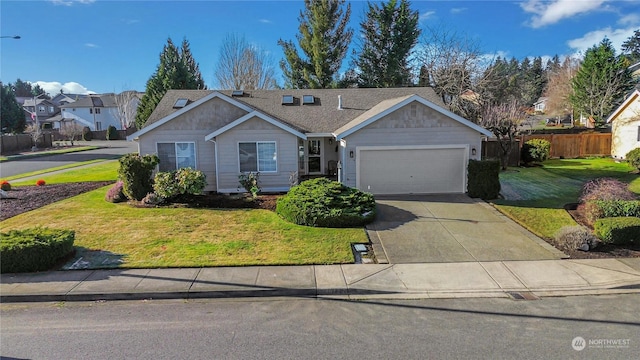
pixel 325 203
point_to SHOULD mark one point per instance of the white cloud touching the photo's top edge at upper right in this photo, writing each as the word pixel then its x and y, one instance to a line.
pixel 551 12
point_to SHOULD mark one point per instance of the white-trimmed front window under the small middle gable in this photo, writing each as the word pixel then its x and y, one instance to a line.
pixel 260 156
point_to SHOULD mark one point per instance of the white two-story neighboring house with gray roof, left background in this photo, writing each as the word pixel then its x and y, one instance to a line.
pixel 96 111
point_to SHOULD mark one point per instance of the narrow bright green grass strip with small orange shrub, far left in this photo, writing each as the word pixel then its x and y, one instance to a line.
pixel 102 171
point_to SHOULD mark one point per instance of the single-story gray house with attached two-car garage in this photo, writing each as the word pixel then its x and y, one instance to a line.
pixel 384 141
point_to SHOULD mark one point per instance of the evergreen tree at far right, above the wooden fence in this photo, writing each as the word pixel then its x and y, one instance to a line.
pixel 601 82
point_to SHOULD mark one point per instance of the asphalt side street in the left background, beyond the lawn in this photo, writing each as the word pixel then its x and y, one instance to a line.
pixel 108 150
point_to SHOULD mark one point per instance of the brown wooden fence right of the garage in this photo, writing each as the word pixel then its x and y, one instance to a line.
pixel 567 146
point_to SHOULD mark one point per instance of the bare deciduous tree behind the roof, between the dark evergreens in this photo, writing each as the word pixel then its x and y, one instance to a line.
pixel 243 66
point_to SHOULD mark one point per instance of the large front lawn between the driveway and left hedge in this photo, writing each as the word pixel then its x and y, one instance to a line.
pixel 183 237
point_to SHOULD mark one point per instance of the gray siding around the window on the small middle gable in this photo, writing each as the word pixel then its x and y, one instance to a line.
pixel 256 130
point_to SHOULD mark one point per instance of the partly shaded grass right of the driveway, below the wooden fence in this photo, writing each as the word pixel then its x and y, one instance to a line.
pixel 535 197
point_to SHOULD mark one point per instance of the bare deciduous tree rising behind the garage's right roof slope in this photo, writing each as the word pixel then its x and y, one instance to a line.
pixel 454 66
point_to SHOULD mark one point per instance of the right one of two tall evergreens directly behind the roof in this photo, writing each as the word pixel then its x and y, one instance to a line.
pixel 390 31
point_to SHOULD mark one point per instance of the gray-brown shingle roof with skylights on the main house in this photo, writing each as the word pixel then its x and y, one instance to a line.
pixel 321 117
